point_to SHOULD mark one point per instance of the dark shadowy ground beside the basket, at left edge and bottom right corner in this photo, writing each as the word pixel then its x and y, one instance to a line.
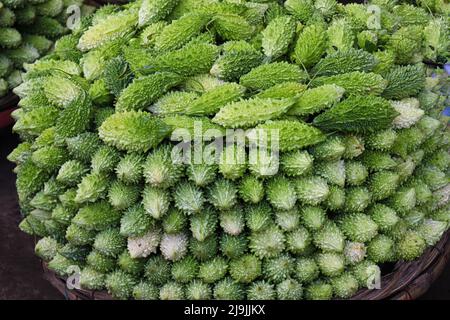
pixel 20 269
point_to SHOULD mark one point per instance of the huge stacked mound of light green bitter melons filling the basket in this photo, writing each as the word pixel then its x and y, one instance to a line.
pixel 362 173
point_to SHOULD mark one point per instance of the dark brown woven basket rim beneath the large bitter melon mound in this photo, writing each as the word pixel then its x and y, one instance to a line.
pixel 406 281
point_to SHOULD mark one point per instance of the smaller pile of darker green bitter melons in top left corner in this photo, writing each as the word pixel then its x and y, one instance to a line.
pixel 27 31
